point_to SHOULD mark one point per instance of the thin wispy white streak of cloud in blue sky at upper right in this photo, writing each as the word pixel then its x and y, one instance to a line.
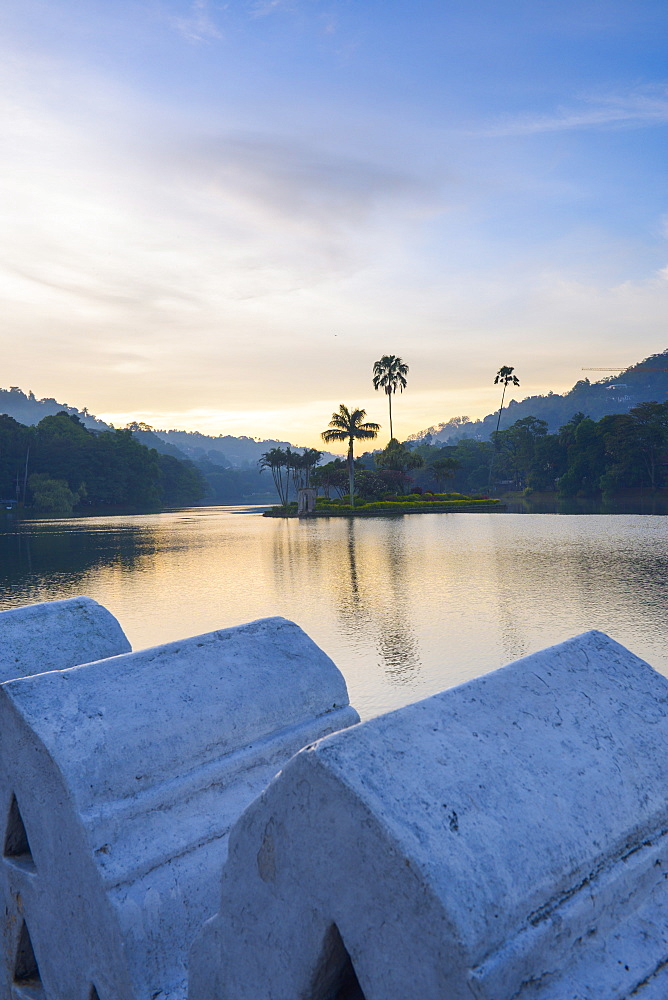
pixel 631 110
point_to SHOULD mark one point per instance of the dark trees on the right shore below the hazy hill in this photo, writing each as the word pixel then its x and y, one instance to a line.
pixel 583 458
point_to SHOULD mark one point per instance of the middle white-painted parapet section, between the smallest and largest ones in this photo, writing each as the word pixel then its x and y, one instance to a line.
pixel 127 774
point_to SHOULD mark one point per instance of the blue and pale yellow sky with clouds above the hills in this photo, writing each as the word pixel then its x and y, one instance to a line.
pixel 216 216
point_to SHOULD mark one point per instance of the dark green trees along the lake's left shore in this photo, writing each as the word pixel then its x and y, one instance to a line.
pixel 58 465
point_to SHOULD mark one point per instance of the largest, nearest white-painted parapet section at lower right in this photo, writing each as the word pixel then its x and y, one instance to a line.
pixel 504 839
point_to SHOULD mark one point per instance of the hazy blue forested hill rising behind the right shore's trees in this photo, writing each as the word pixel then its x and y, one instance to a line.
pixel 641 383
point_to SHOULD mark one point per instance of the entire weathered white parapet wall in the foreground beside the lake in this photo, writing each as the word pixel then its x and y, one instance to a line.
pixel 504 840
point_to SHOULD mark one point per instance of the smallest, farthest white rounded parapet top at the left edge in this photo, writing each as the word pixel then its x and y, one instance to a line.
pixel 57 634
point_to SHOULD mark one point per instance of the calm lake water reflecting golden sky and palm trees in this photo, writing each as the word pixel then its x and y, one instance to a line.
pixel 404 606
